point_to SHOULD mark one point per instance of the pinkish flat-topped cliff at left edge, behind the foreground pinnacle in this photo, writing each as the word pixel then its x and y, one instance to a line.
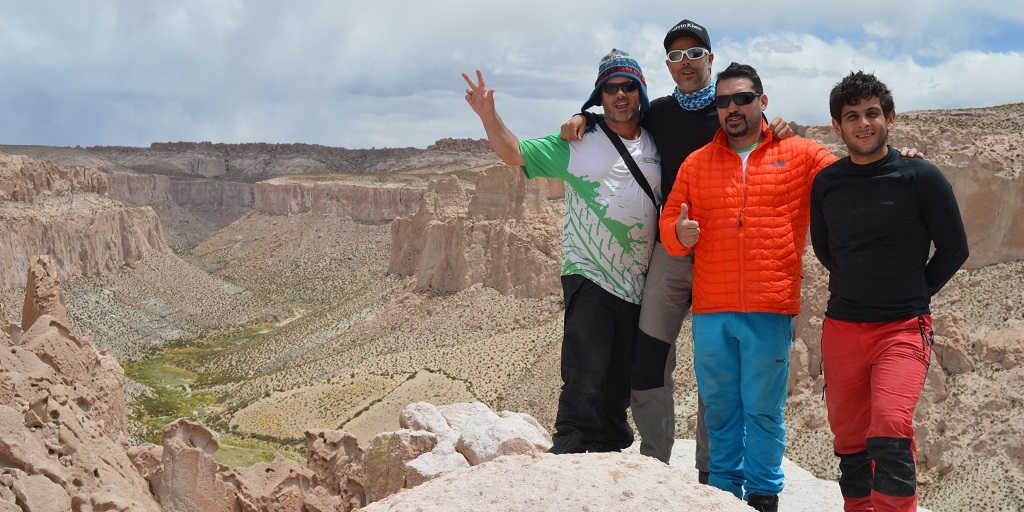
pixel 46 209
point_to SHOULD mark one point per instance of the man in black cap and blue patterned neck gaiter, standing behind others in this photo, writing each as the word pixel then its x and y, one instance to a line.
pixel 679 123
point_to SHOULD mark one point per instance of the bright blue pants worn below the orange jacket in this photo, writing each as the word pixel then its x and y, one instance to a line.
pixel 743 365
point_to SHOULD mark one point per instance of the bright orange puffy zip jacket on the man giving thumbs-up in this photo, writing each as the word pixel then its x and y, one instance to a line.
pixel 749 257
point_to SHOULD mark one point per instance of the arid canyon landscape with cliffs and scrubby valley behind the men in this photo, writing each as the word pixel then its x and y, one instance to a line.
pixel 267 290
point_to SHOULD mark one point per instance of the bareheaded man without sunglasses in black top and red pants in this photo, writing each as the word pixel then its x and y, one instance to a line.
pixel 877 337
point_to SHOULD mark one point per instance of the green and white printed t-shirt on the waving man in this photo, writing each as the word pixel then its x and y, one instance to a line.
pixel 611 224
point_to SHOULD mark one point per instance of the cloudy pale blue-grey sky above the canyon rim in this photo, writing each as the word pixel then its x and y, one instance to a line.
pixel 387 74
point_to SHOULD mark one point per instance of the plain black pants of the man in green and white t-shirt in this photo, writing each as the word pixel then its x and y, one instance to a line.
pixel 598 354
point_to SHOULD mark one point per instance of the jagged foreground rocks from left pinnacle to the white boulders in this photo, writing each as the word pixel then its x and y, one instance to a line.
pixel 64 444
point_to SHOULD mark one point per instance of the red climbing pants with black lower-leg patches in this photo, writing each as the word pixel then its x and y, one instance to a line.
pixel 875 374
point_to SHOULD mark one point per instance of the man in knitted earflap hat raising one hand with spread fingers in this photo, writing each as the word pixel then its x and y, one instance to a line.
pixel 610 231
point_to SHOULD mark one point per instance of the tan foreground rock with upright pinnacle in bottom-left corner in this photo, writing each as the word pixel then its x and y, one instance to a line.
pixel 63 420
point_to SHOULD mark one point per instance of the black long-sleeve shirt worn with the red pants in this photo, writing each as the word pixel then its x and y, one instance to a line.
pixel 873 228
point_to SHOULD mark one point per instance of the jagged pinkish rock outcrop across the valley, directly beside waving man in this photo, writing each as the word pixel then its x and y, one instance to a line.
pixel 504 236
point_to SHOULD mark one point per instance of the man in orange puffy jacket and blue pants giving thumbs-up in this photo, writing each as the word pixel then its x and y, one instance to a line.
pixel 746 196
